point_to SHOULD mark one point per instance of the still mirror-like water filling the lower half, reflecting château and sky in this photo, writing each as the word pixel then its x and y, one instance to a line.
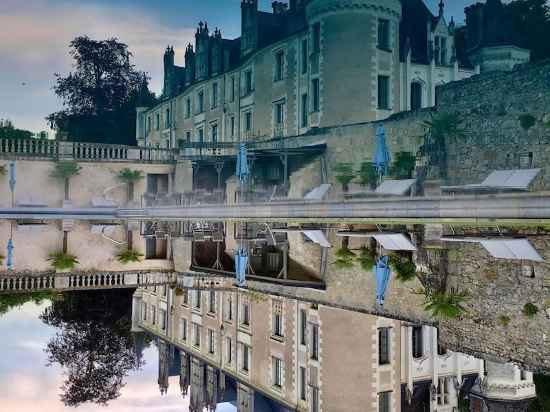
pixel 315 325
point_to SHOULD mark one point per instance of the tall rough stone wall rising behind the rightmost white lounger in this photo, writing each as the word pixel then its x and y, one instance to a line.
pixel 493 106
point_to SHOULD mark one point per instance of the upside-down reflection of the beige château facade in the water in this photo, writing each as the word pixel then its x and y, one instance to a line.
pixel 255 350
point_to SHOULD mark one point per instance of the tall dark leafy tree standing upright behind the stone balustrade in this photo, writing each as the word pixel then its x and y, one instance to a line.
pixel 99 97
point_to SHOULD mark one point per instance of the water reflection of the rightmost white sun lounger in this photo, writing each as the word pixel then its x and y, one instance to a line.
pixel 518 249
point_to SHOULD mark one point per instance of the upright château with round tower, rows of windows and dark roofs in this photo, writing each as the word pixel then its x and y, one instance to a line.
pixel 318 63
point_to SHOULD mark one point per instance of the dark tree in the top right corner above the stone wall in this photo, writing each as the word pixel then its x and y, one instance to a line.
pixel 531 19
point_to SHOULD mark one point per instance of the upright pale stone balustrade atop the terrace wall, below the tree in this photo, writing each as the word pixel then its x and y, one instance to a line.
pixel 82 152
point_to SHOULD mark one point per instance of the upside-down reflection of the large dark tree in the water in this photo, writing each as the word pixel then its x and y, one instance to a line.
pixel 94 344
